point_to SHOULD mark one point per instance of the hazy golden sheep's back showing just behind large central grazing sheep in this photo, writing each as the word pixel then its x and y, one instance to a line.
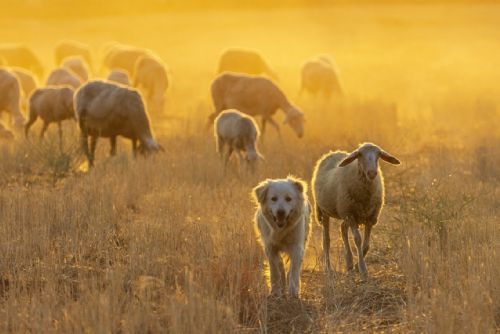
pixel 244 61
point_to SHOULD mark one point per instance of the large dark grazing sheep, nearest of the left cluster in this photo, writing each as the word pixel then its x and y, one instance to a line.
pixel 105 109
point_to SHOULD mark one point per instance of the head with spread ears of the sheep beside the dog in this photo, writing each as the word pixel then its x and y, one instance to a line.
pixel 367 155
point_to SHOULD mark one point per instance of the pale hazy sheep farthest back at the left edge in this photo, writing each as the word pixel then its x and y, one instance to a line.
pixel 20 56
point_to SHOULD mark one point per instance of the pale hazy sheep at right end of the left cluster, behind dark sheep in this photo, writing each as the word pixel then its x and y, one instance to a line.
pixel 151 79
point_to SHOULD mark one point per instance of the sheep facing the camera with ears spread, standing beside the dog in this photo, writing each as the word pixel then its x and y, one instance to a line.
pixel 350 187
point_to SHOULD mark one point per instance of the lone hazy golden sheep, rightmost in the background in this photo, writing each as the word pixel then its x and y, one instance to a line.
pixel 319 75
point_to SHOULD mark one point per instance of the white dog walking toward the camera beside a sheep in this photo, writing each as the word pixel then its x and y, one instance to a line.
pixel 282 220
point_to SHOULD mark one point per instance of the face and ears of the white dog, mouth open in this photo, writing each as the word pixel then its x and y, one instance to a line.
pixel 281 200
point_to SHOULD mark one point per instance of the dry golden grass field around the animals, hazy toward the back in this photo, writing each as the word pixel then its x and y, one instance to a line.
pixel 167 243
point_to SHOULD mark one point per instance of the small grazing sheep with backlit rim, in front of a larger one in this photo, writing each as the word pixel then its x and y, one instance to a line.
pixel 239 132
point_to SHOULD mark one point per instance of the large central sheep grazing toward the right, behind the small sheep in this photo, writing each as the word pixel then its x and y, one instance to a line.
pixel 254 95
